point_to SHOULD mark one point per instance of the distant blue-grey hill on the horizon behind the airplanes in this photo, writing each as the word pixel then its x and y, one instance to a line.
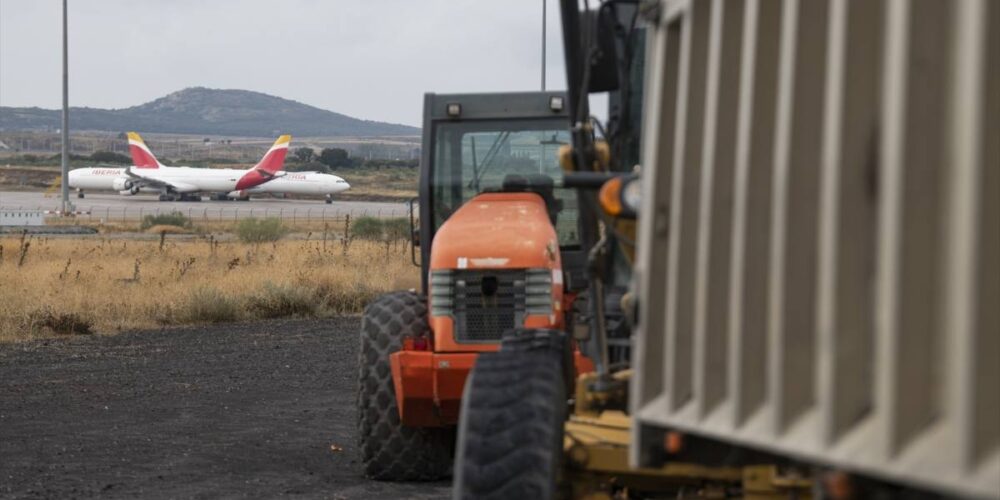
pixel 200 110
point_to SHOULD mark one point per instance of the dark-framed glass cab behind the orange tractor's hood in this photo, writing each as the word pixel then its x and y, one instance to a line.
pixel 493 144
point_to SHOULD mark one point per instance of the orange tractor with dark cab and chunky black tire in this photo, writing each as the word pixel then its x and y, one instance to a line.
pixel 500 251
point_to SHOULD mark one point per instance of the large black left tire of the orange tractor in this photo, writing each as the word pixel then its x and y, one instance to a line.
pixel 389 450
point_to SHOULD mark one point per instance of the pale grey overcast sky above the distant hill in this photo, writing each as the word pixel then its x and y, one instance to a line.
pixel 370 59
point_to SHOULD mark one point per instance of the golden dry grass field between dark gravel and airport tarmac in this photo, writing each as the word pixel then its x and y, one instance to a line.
pixel 51 286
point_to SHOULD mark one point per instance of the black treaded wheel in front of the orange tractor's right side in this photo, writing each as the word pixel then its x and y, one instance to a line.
pixel 510 434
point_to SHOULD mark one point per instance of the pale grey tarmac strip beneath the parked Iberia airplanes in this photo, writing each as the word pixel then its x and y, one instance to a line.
pixel 112 207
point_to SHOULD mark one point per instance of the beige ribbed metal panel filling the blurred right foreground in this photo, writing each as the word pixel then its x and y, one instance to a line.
pixel 818 264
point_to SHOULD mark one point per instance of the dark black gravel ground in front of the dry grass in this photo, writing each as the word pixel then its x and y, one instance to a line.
pixel 256 410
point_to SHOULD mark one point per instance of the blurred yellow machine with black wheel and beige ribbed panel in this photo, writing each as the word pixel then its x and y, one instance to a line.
pixel 816 260
